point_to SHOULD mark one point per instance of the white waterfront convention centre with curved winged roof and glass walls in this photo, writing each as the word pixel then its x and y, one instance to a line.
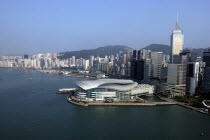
pixel 117 89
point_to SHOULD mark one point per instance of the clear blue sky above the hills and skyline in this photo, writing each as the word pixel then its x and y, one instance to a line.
pixel 37 26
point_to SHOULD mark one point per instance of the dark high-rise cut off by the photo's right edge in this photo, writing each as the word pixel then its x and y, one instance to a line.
pixel 206 71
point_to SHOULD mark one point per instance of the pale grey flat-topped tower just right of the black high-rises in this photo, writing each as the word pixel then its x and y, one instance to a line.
pixel 157 59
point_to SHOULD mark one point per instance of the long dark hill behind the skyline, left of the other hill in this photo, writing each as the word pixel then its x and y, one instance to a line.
pixel 101 52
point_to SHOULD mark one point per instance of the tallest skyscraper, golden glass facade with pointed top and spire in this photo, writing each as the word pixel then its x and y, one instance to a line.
pixel 177 41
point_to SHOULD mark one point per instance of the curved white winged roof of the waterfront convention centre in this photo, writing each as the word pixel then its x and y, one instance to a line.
pixel 115 84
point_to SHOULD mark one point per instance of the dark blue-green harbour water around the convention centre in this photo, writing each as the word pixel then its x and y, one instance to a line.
pixel 31 109
